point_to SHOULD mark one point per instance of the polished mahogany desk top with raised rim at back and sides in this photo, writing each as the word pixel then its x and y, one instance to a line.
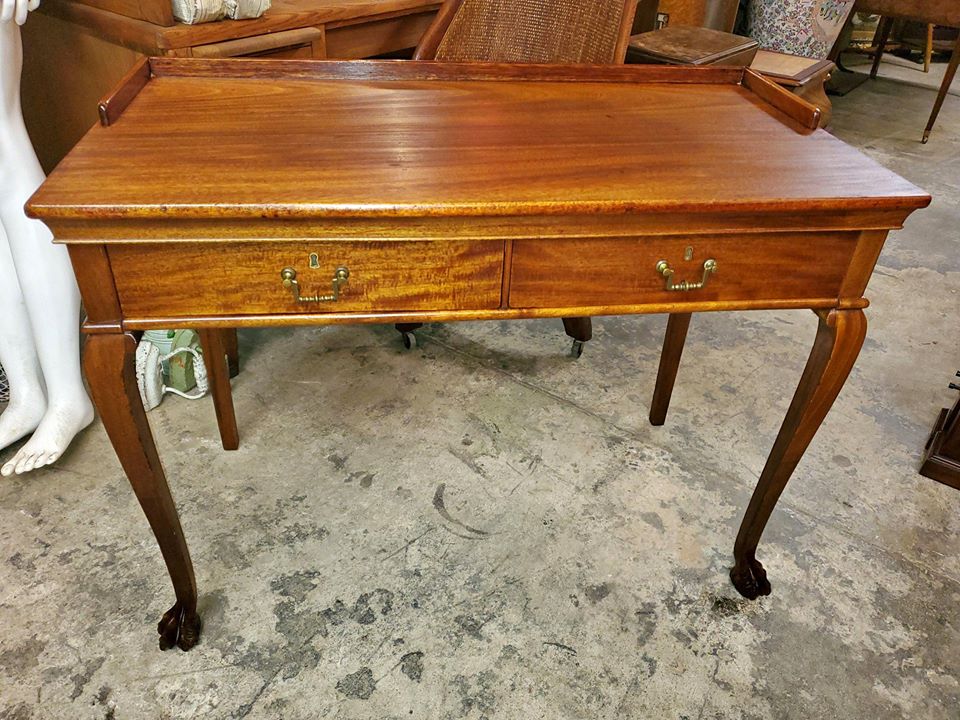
pixel 305 139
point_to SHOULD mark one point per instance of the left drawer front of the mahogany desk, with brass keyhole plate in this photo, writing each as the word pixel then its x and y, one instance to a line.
pixel 234 278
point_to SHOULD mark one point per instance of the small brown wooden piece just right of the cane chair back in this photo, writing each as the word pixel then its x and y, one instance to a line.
pixel 681 45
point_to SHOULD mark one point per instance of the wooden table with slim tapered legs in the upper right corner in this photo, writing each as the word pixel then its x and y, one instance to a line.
pixel 937 12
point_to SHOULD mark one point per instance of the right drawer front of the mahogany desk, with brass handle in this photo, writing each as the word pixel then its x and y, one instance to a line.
pixel 604 272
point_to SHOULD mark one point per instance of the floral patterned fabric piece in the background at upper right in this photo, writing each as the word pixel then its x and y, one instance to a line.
pixel 798 27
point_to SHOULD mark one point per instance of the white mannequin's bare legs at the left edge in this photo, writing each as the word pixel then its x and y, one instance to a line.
pixel 47 285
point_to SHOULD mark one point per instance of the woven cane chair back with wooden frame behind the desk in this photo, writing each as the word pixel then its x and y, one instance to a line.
pixel 530 31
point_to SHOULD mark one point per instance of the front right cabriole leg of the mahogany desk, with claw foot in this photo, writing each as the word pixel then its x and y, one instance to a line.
pixel 835 349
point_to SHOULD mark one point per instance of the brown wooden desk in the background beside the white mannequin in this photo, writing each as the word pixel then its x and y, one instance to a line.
pixel 75 51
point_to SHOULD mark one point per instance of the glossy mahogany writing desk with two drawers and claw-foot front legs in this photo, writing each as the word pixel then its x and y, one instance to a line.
pixel 222 194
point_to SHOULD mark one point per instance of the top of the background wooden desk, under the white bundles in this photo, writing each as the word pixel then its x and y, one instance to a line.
pixel 154 39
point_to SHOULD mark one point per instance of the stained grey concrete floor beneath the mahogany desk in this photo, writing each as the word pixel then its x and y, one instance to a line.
pixel 485 528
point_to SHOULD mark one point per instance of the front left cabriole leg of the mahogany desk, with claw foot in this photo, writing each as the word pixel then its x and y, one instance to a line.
pixel 109 365
